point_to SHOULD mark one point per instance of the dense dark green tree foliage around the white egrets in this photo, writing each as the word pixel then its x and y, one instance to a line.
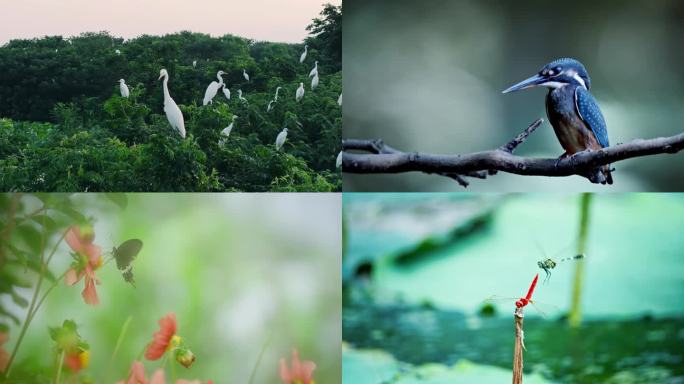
pixel 65 126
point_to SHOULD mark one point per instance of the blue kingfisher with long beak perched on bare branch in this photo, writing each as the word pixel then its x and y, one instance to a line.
pixel 573 112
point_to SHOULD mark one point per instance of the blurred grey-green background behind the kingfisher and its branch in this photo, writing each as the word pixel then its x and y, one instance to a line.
pixel 427 76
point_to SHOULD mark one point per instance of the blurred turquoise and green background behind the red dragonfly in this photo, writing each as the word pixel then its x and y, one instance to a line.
pixel 418 270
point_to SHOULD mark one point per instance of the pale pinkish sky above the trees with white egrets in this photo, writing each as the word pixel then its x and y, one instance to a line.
pixel 264 20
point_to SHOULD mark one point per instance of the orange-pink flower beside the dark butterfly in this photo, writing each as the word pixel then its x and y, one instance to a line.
pixel 89 260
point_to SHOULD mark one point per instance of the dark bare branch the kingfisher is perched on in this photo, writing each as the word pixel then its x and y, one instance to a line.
pixel 381 158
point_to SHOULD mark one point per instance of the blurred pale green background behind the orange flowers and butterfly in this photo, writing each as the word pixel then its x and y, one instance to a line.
pixel 237 269
